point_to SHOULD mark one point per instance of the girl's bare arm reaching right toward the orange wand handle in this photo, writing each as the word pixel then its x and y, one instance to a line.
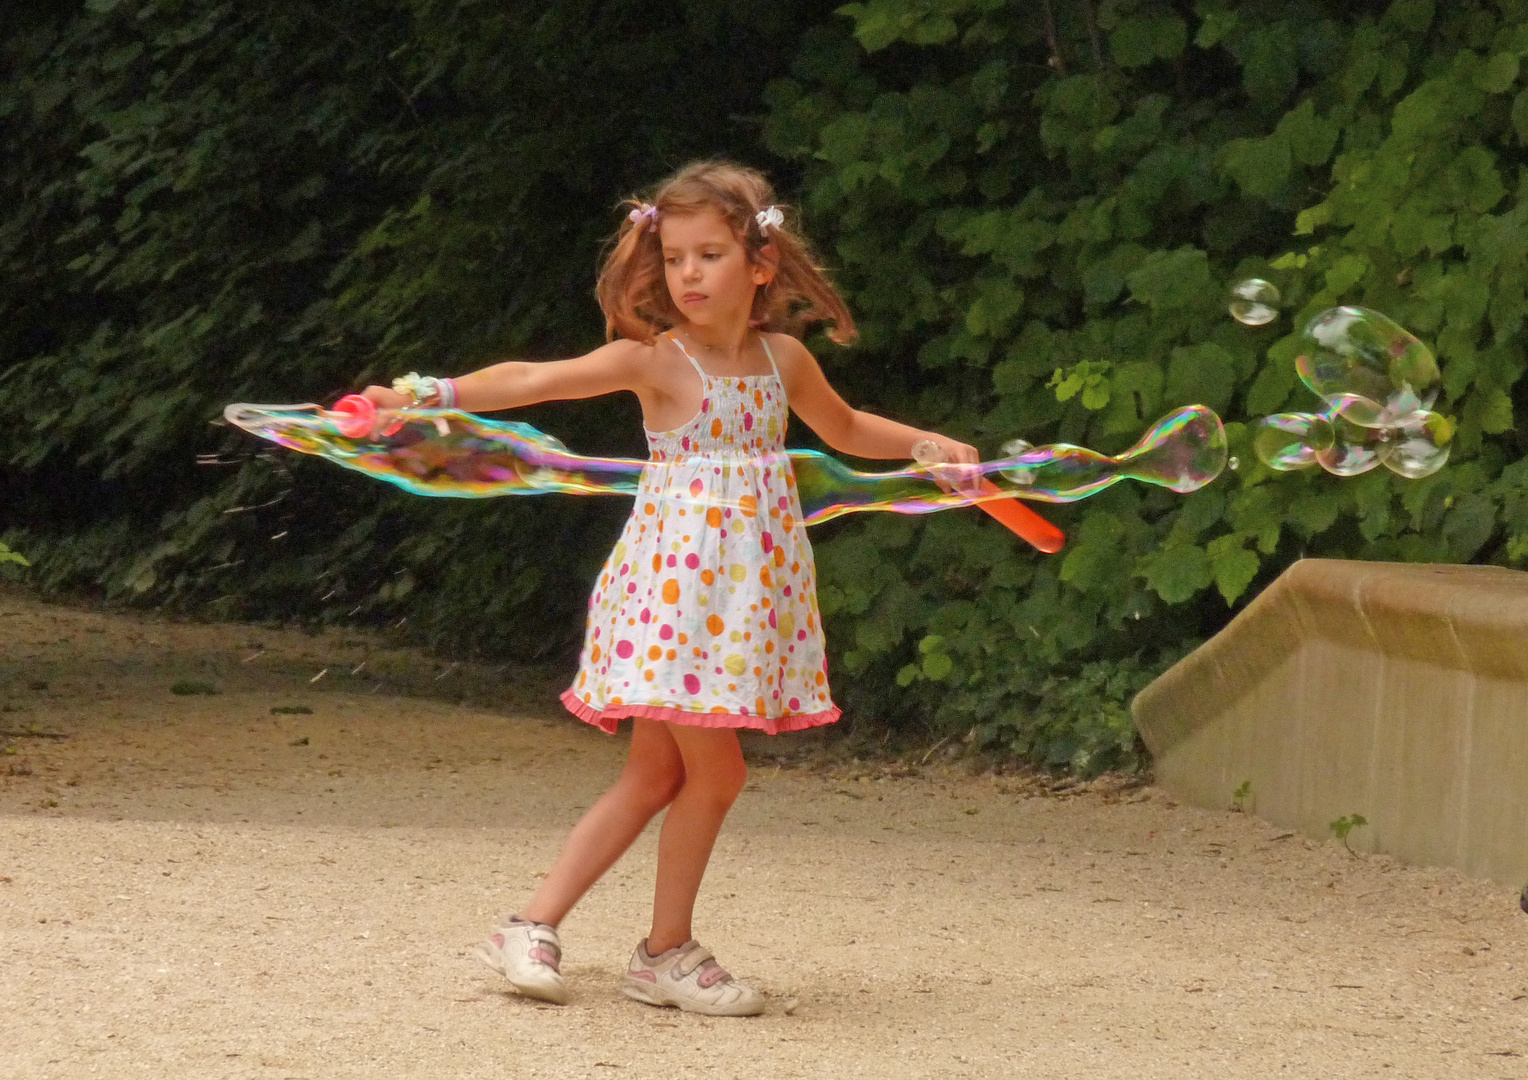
pixel 844 428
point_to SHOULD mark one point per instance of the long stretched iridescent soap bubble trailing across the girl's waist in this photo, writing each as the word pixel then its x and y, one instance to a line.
pixel 448 453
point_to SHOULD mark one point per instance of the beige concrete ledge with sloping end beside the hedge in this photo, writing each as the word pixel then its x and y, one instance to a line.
pixel 1394 691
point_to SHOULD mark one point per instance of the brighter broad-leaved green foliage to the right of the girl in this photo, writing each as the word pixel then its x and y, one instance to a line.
pixel 1037 212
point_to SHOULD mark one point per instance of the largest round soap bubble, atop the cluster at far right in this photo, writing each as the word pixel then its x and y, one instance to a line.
pixel 1367 367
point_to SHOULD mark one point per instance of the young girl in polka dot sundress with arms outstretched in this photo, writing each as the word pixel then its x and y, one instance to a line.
pixel 705 618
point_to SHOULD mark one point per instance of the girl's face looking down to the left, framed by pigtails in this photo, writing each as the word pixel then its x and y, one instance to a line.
pixel 708 271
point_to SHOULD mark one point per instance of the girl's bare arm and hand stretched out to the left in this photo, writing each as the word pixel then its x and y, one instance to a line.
pixel 609 369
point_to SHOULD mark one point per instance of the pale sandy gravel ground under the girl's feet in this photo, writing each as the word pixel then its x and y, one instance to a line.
pixel 195 885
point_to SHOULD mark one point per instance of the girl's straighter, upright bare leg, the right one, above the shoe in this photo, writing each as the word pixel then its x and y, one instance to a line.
pixel 714 775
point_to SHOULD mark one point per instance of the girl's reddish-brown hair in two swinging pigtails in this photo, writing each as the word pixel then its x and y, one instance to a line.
pixel 632 286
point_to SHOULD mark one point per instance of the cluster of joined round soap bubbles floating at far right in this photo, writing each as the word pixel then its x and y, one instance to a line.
pixel 1377 384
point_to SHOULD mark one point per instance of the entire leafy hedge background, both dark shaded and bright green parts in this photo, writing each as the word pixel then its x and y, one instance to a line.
pixel 1034 209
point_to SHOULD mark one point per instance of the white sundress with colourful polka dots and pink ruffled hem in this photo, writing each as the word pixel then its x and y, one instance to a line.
pixel 707 612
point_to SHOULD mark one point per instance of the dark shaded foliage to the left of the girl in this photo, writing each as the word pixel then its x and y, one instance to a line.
pixel 212 202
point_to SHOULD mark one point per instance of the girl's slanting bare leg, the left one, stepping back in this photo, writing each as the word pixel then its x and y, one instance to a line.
pixel 653 775
